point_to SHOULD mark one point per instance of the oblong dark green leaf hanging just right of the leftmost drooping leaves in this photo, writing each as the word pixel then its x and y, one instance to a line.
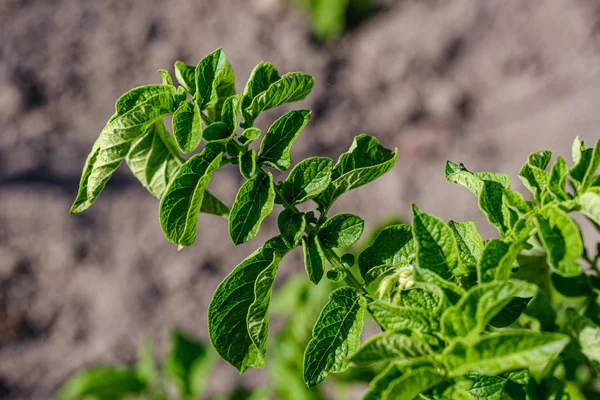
pixel 183 199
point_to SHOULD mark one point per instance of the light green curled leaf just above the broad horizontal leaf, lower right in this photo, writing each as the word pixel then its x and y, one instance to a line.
pixel 480 304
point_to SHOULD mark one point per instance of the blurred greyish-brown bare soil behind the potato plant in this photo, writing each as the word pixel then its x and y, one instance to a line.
pixel 479 82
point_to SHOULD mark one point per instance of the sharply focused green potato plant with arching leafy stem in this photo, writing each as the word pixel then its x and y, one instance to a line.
pixel 513 317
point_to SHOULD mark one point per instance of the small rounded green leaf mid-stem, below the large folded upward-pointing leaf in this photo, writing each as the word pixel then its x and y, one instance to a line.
pixel 341 231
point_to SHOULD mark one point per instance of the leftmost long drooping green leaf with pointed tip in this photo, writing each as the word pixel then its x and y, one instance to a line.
pixel 114 144
